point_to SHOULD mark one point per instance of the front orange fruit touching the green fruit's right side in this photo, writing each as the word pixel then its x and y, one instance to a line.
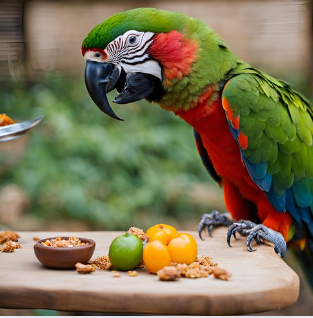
pixel 156 256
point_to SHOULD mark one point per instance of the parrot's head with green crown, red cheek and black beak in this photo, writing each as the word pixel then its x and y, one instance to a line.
pixel 148 53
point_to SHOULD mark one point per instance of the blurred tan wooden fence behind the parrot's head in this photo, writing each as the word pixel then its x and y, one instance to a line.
pixel 273 35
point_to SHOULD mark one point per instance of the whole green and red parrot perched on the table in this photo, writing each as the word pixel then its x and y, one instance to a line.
pixel 253 131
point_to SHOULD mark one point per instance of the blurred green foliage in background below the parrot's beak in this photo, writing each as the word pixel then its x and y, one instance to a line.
pixel 81 164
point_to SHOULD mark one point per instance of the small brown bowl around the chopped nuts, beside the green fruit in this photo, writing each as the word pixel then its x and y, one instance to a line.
pixel 64 257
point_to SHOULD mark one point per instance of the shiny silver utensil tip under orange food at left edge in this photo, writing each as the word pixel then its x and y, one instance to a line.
pixel 10 132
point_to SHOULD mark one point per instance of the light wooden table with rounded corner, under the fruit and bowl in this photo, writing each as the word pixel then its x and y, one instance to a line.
pixel 260 281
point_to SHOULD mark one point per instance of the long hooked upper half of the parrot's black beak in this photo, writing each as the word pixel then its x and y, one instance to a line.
pixel 96 79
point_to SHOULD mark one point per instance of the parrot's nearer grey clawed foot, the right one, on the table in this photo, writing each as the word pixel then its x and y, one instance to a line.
pixel 260 233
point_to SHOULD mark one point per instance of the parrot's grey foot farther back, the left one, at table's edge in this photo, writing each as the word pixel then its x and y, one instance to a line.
pixel 213 219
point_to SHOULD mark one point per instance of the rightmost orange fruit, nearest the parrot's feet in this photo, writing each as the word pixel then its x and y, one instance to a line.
pixel 183 249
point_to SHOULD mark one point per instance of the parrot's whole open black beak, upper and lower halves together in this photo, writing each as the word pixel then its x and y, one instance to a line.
pixel 103 77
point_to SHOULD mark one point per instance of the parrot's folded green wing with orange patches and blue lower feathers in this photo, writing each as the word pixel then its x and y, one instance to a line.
pixel 277 124
